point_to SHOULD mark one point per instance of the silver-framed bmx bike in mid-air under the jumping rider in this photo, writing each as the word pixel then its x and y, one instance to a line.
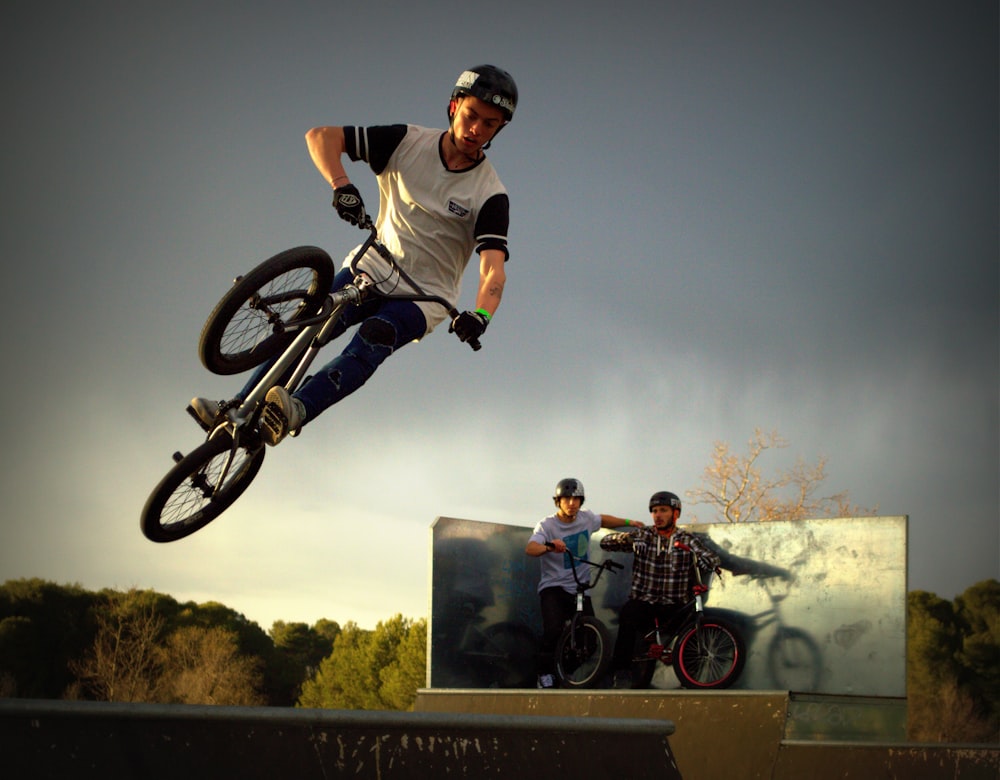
pixel 283 310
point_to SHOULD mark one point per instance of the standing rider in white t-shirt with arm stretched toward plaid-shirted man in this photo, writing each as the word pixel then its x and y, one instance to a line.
pixel 568 530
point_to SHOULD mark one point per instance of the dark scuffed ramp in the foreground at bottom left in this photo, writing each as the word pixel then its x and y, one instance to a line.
pixel 81 740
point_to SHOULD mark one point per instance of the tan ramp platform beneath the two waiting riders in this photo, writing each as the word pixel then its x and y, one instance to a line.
pixel 748 735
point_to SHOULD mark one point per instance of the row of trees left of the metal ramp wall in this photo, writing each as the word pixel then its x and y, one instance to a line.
pixel 66 642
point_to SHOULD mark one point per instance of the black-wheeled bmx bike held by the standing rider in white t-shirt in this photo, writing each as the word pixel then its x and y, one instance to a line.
pixel 583 650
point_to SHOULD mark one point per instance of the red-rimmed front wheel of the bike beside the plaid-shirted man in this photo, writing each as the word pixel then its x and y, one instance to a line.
pixel 709 654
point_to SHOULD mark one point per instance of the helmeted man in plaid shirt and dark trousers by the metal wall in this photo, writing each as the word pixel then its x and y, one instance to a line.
pixel 662 575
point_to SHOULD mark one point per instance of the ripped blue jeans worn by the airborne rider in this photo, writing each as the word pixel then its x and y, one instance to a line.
pixel 386 325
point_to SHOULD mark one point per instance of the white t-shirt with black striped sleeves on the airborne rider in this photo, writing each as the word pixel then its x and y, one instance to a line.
pixel 430 218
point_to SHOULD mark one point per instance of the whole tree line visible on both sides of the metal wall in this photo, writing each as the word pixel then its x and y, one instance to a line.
pixel 65 642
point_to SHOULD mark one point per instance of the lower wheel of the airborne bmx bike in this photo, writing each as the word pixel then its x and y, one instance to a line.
pixel 181 503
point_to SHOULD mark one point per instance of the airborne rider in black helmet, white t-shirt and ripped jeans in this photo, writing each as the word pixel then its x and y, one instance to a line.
pixel 440 200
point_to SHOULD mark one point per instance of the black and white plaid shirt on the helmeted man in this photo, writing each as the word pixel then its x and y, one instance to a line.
pixel 661 572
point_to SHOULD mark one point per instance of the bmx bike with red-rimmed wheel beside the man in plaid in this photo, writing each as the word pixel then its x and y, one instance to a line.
pixel 705 650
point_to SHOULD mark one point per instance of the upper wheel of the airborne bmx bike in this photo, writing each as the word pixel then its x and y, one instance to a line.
pixel 242 333
